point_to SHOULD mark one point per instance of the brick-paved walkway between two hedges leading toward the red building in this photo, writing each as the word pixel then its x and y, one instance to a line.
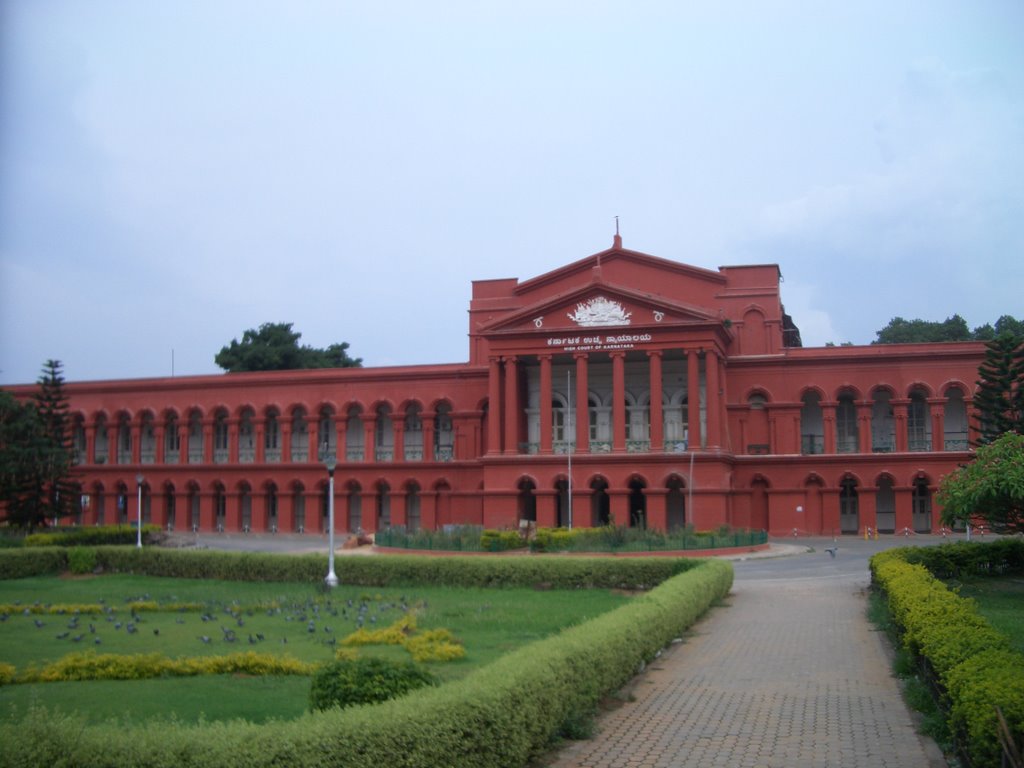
pixel 790 674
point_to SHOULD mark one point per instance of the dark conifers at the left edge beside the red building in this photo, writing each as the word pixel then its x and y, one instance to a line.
pixel 36 457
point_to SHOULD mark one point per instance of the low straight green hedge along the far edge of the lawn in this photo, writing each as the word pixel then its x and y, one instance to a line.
pixel 516 571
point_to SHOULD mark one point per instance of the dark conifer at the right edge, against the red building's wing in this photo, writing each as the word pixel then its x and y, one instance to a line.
pixel 1000 398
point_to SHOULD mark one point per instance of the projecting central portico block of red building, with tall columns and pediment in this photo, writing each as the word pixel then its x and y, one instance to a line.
pixel 614 359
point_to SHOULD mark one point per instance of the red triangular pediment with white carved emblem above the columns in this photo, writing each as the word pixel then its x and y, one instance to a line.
pixel 601 306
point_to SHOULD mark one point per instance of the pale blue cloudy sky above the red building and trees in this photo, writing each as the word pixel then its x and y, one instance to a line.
pixel 174 174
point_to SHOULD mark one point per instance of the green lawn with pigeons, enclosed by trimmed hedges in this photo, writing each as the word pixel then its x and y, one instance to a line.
pixel 297 620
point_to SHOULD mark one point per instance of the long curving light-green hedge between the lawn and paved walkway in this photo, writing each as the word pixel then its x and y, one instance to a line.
pixel 505 714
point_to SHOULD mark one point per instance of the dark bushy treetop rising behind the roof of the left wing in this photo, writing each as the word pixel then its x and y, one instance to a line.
pixel 275 347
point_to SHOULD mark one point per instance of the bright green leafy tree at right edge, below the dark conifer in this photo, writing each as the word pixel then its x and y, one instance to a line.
pixel 991 488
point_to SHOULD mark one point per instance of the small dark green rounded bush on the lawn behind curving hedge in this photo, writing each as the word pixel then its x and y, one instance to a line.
pixel 348 682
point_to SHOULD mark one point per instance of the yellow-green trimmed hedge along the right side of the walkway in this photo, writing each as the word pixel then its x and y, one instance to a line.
pixel 973 663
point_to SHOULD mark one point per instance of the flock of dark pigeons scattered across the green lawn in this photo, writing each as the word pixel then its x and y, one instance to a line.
pixel 318 618
